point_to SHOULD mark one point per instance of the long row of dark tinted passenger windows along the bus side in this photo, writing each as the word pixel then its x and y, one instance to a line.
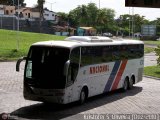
pixel 100 54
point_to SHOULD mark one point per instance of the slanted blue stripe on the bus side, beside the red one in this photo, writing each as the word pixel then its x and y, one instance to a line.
pixel 112 76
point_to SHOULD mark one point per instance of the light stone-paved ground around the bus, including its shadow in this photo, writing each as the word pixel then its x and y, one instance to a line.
pixel 142 99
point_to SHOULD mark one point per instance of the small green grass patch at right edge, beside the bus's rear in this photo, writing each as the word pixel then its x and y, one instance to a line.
pixel 153 71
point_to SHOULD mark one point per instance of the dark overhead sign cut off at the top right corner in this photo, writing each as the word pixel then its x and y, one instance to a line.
pixel 143 3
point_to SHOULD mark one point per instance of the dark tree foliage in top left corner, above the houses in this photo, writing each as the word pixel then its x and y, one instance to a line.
pixel 13 2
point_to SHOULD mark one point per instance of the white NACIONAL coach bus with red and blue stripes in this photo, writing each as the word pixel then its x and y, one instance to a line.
pixel 80 67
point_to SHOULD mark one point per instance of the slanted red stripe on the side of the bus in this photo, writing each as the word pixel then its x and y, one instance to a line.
pixel 119 74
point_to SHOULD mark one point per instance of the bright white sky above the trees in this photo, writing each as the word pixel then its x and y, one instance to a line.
pixel 117 5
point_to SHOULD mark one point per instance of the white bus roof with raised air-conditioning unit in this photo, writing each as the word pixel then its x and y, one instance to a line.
pixel 74 41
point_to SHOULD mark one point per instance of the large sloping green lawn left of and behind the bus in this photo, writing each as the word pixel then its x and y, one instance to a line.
pixel 9 41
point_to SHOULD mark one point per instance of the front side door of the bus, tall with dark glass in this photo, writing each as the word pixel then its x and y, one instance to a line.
pixel 72 73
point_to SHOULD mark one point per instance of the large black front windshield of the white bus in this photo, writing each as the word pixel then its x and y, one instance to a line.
pixel 45 67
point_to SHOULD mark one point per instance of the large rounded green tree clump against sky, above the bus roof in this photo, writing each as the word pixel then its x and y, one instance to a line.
pixel 90 15
